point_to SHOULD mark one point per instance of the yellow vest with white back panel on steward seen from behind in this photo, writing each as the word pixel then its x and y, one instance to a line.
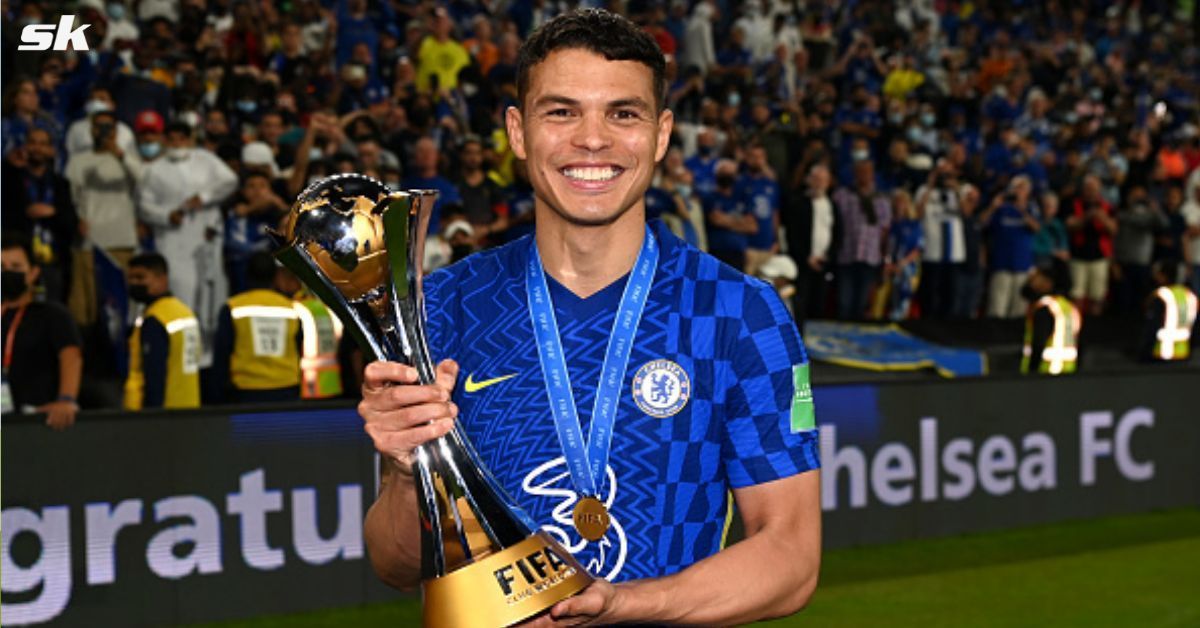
pixel 265 349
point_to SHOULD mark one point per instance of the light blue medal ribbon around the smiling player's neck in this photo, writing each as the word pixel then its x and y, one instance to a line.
pixel 589 460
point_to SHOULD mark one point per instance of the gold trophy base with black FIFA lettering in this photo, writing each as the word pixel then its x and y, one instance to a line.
pixel 506 588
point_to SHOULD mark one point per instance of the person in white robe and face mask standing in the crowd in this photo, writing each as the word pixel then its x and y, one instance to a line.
pixel 181 199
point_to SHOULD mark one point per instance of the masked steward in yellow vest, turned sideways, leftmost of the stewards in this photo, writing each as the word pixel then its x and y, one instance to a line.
pixel 165 343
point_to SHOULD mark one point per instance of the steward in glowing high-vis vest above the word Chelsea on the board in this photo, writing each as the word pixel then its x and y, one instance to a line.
pixel 1053 324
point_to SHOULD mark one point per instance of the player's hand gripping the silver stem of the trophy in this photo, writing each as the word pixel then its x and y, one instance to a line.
pixel 399 418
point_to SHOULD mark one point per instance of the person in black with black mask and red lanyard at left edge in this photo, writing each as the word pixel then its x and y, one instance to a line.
pixel 43 357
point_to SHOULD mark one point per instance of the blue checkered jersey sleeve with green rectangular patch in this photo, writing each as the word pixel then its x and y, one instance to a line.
pixel 770 424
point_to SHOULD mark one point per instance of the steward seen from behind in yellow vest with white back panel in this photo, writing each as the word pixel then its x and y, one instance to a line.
pixel 256 354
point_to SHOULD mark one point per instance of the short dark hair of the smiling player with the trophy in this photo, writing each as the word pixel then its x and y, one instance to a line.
pixel 597 31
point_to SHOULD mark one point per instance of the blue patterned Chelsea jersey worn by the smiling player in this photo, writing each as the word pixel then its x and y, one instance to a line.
pixel 668 479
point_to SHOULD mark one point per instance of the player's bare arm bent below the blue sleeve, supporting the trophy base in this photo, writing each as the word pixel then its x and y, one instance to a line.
pixel 782 555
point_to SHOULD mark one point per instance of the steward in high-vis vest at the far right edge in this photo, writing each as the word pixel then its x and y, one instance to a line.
pixel 1171 316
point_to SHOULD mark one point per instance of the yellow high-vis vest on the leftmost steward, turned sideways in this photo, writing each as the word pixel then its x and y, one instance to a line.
pixel 183 384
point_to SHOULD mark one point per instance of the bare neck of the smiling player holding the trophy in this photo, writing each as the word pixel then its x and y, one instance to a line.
pixel 585 260
